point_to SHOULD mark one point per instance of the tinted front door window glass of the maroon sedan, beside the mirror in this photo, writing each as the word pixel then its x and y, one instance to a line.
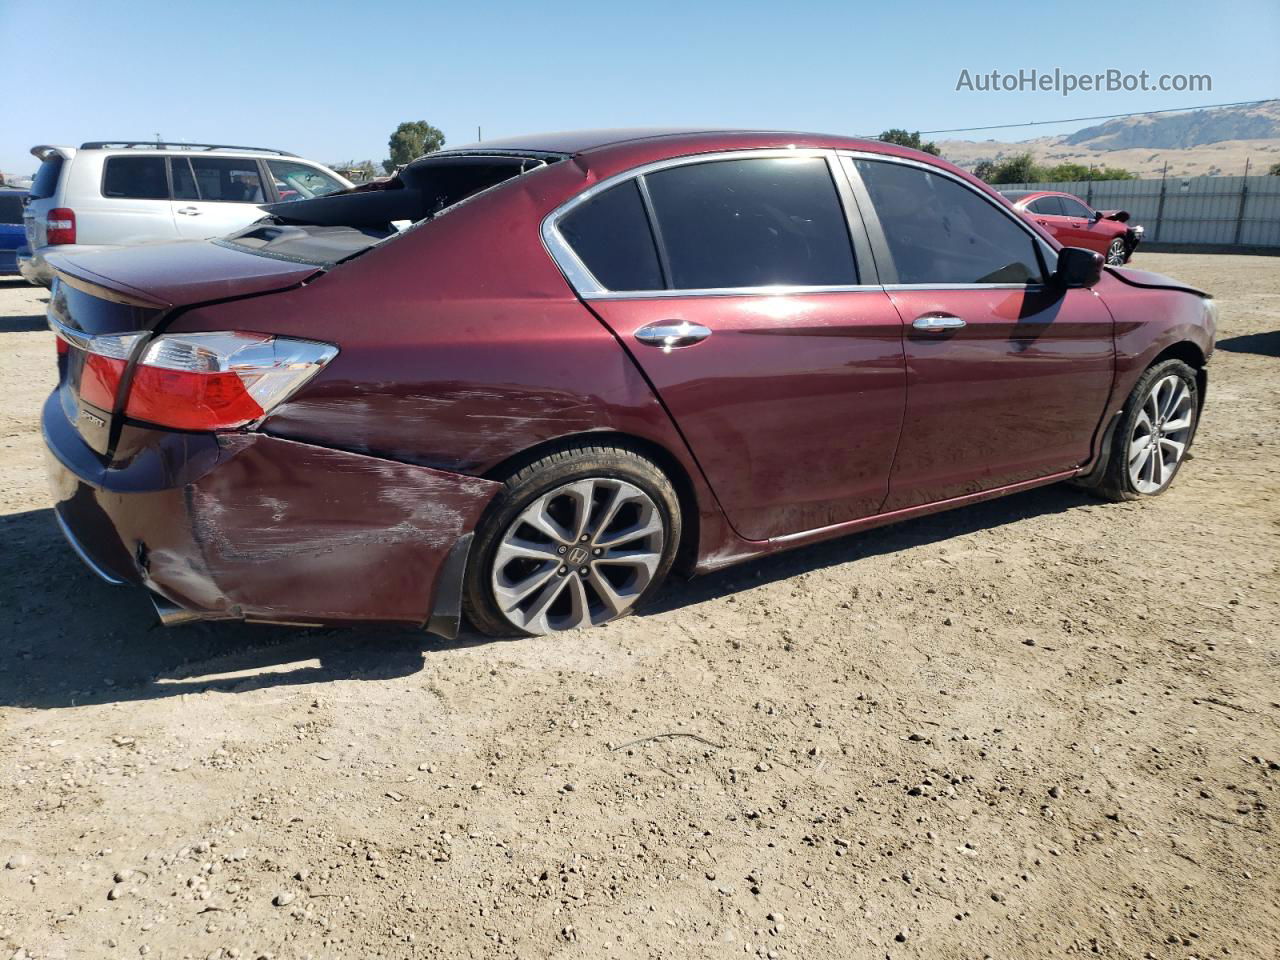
pixel 941 232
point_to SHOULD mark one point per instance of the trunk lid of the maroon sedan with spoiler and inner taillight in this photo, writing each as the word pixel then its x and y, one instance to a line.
pixel 104 308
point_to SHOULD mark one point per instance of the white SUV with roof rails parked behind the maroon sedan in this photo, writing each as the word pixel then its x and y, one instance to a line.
pixel 121 194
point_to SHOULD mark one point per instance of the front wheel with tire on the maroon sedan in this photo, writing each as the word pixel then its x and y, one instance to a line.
pixel 1177 406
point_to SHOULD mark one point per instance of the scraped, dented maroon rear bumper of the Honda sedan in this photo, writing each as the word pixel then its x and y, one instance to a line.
pixel 249 527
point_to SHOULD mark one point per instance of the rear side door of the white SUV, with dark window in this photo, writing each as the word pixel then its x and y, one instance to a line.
pixel 216 195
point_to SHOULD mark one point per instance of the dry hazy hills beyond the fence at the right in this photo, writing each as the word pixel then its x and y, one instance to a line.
pixel 1200 143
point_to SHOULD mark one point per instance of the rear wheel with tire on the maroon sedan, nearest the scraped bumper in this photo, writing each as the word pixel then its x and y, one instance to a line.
pixel 525 578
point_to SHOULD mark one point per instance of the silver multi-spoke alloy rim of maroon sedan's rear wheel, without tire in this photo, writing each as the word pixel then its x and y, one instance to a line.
pixel 578 556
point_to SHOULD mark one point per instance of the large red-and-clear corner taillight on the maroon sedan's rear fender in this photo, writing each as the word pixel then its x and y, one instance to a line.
pixel 221 381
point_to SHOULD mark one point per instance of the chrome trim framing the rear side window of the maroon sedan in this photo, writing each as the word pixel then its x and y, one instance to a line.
pixel 586 285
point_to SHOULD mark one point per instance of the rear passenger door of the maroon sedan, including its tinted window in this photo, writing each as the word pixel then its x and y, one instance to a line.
pixel 733 282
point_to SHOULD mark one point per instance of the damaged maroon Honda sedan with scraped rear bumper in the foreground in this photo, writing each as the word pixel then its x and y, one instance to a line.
pixel 524 381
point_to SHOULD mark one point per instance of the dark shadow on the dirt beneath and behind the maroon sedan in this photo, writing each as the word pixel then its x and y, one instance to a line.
pixel 72 641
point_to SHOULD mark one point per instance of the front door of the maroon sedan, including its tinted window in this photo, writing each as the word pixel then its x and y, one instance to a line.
pixel 1008 374
